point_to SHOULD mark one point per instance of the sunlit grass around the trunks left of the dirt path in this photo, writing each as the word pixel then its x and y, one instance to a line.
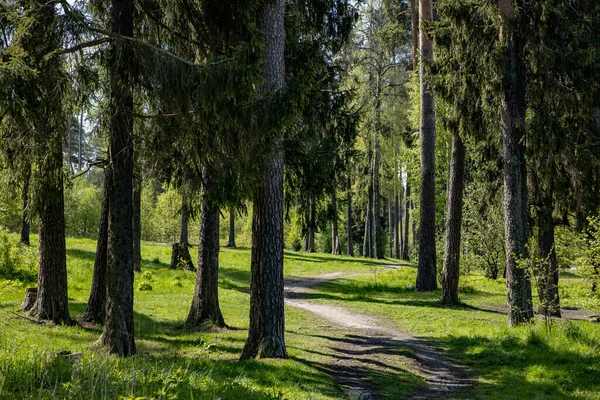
pixel 172 362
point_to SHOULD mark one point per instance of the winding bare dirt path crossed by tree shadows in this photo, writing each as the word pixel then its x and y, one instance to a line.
pixel 369 346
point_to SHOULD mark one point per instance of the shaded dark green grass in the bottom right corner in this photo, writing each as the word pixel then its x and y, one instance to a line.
pixel 510 368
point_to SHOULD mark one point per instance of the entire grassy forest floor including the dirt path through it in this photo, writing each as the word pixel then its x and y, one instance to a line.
pixel 355 328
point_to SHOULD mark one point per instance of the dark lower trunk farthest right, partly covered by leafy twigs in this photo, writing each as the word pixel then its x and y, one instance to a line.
pixel 548 274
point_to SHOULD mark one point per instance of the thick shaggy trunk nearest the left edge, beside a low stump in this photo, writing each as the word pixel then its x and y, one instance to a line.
pixel 51 302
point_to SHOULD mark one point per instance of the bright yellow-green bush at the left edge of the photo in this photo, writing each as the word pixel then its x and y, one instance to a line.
pixel 17 262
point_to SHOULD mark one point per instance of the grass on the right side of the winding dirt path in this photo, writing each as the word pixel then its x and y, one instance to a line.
pixel 519 363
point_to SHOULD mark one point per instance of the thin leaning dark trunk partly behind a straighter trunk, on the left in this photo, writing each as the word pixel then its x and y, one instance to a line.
pixel 96 306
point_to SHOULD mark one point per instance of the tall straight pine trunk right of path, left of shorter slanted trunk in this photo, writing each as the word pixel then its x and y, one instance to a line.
pixel 426 272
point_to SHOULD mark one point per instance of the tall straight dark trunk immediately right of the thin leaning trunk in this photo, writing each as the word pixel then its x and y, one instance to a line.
pixel 118 334
